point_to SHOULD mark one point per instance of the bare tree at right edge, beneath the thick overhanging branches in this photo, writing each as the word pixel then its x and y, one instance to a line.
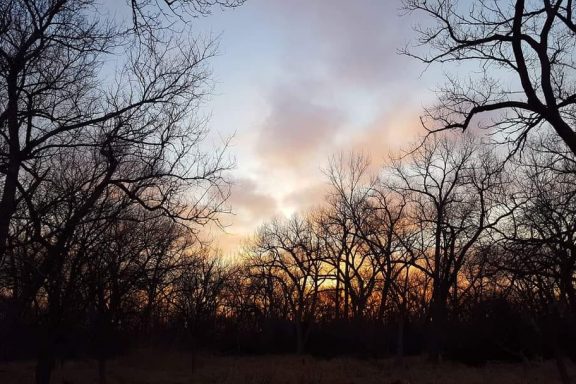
pixel 540 242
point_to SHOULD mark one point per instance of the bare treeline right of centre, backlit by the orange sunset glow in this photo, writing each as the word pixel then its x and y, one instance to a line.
pixel 450 251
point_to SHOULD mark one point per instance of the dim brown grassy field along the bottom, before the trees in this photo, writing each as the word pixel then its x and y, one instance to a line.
pixel 148 367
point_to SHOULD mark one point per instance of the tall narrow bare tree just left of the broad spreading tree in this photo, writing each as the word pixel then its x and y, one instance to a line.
pixel 370 214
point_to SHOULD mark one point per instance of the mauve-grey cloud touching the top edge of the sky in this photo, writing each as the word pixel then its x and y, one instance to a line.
pixel 353 42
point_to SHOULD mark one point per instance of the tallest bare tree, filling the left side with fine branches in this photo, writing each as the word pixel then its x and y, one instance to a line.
pixel 79 148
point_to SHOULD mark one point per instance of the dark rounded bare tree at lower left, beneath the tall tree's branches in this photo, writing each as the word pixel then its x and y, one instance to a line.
pixel 126 271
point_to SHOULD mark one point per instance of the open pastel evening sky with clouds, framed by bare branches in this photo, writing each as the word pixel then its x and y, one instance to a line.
pixel 297 81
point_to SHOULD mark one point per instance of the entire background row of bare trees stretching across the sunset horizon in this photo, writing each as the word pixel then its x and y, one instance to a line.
pixel 450 251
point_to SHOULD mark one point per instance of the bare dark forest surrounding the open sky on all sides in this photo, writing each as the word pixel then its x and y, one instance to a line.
pixel 460 247
